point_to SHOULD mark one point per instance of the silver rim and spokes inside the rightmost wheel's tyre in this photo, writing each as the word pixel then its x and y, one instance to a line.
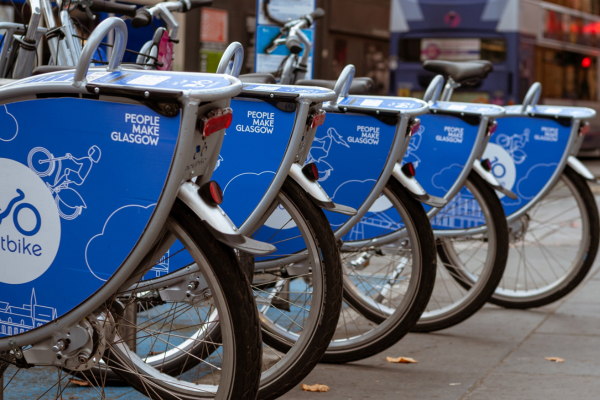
pixel 558 235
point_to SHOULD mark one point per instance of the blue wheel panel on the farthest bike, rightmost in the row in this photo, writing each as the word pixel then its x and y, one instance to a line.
pixel 525 152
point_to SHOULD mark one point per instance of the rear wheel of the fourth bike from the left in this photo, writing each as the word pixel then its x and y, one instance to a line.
pixel 467 257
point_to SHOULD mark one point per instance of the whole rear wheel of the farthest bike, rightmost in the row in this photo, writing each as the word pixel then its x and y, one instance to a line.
pixel 552 246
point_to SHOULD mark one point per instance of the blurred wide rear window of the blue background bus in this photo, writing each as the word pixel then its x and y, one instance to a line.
pixel 452 49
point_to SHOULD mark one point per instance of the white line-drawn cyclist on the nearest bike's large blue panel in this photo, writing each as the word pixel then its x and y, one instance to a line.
pixel 68 200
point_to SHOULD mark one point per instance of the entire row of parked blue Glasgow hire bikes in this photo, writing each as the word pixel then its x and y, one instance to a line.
pixel 196 235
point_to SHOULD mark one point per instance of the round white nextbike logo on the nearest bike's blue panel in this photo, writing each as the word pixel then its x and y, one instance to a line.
pixel 30 227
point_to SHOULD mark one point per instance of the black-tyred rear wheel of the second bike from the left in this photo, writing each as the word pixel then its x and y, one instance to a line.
pixel 299 301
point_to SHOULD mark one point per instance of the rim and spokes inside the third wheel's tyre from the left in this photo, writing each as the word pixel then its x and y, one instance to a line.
pixel 387 285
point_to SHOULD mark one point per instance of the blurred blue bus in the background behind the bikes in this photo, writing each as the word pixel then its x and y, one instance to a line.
pixel 555 43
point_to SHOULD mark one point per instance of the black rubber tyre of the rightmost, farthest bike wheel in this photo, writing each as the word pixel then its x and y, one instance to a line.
pixel 584 260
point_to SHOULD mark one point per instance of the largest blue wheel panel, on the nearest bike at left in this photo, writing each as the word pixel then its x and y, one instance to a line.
pixel 72 206
